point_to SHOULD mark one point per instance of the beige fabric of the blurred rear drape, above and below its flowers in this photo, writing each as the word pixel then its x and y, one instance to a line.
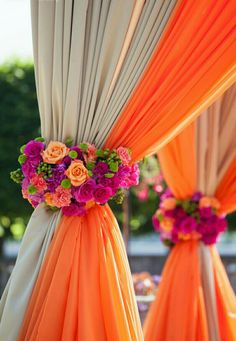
pixel 216 149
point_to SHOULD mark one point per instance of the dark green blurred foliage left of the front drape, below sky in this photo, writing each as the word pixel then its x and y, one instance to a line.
pixel 19 122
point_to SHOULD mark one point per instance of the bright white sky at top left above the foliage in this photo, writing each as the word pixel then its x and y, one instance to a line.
pixel 15 29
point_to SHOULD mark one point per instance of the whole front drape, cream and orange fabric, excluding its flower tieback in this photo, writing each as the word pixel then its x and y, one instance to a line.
pixel 89 59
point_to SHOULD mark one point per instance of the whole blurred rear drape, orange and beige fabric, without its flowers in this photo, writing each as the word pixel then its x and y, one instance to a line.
pixel 202 158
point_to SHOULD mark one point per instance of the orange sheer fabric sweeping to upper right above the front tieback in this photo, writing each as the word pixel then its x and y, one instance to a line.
pixel 193 65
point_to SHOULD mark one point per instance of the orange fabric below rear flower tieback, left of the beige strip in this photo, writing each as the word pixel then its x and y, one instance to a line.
pixel 178 313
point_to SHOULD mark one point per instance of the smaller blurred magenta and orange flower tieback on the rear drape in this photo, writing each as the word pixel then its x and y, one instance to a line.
pixel 194 218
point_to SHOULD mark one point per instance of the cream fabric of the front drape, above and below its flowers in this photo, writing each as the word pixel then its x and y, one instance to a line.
pixel 89 55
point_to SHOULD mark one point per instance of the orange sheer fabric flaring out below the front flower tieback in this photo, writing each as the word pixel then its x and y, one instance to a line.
pixel 67 296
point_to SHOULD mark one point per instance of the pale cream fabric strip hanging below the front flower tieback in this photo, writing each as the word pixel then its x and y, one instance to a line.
pixel 31 254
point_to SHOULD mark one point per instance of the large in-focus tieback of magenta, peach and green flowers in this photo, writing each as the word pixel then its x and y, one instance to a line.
pixel 73 178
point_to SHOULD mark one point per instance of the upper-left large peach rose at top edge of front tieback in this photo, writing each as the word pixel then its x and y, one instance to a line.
pixel 55 152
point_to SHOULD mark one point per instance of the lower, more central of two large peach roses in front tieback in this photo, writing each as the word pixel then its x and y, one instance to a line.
pixel 77 173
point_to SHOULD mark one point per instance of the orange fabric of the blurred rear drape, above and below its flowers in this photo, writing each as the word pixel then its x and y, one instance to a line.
pixel 178 161
